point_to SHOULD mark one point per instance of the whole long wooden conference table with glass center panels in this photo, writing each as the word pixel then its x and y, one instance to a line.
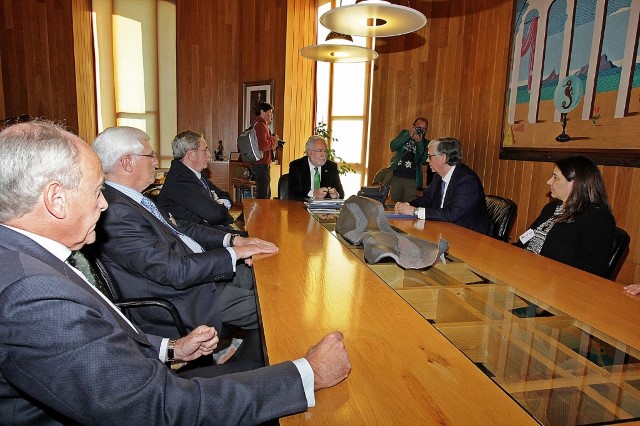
pixel 451 344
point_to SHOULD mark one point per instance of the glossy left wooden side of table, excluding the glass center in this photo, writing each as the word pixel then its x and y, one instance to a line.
pixel 404 371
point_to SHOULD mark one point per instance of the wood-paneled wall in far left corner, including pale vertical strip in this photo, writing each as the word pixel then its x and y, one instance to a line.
pixel 38 59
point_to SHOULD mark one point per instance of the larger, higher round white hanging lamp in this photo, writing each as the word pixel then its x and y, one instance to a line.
pixel 373 18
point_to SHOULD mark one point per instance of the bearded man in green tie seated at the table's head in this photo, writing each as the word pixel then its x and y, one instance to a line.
pixel 313 176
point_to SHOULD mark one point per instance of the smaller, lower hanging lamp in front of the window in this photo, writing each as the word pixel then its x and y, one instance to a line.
pixel 338 48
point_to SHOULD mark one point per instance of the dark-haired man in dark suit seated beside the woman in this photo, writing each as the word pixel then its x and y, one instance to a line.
pixel 455 194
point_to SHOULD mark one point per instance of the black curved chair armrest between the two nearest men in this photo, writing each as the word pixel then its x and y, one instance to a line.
pixel 114 295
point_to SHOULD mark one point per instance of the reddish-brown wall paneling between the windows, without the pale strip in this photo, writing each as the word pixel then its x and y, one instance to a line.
pixel 220 45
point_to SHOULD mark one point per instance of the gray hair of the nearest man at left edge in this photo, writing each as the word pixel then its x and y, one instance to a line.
pixel 31 155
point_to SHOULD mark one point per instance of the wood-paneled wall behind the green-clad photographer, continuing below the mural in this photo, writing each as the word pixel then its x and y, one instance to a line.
pixel 453 72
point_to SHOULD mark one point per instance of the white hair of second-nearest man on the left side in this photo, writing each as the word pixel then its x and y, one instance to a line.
pixel 116 142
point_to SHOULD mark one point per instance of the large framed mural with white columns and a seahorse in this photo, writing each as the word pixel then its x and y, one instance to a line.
pixel 574 81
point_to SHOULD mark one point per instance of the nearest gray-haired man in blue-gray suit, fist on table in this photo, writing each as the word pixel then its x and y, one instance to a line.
pixel 67 354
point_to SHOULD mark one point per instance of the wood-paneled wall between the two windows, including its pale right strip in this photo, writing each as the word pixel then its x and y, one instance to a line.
pixel 222 45
